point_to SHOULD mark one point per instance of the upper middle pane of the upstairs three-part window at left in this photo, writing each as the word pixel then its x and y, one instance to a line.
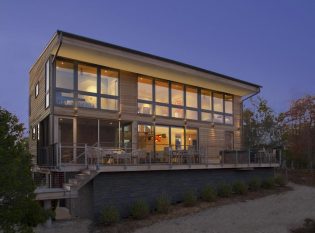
pixel 87 78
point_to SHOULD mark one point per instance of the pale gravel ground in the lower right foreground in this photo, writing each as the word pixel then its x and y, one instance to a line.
pixel 272 214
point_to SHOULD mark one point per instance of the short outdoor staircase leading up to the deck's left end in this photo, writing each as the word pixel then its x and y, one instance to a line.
pixel 79 181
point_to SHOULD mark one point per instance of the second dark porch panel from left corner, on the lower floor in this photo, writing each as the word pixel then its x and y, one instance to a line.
pixel 87 131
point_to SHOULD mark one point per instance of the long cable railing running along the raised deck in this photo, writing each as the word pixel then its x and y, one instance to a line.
pixel 59 155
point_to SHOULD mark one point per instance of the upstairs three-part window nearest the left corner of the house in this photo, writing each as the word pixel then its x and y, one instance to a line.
pixel 86 86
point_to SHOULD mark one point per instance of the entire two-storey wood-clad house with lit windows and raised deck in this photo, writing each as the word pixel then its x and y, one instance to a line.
pixel 110 124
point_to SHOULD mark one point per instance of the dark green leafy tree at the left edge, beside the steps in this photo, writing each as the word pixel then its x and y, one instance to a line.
pixel 19 212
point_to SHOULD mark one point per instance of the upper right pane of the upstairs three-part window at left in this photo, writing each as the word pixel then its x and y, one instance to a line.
pixel 109 82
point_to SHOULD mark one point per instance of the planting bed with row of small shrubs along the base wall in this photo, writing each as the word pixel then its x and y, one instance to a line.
pixel 193 204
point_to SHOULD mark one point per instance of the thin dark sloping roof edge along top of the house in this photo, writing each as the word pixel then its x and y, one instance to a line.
pixel 105 44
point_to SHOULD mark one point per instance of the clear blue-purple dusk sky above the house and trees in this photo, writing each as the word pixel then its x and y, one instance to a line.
pixel 270 42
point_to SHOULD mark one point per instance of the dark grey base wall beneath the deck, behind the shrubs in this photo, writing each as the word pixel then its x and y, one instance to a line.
pixel 121 189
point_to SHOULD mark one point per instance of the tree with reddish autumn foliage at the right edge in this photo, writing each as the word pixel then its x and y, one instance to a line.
pixel 299 124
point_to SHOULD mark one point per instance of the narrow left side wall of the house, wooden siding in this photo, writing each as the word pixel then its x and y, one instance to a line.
pixel 38 112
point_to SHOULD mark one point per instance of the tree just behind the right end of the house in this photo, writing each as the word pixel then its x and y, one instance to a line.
pixel 261 126
